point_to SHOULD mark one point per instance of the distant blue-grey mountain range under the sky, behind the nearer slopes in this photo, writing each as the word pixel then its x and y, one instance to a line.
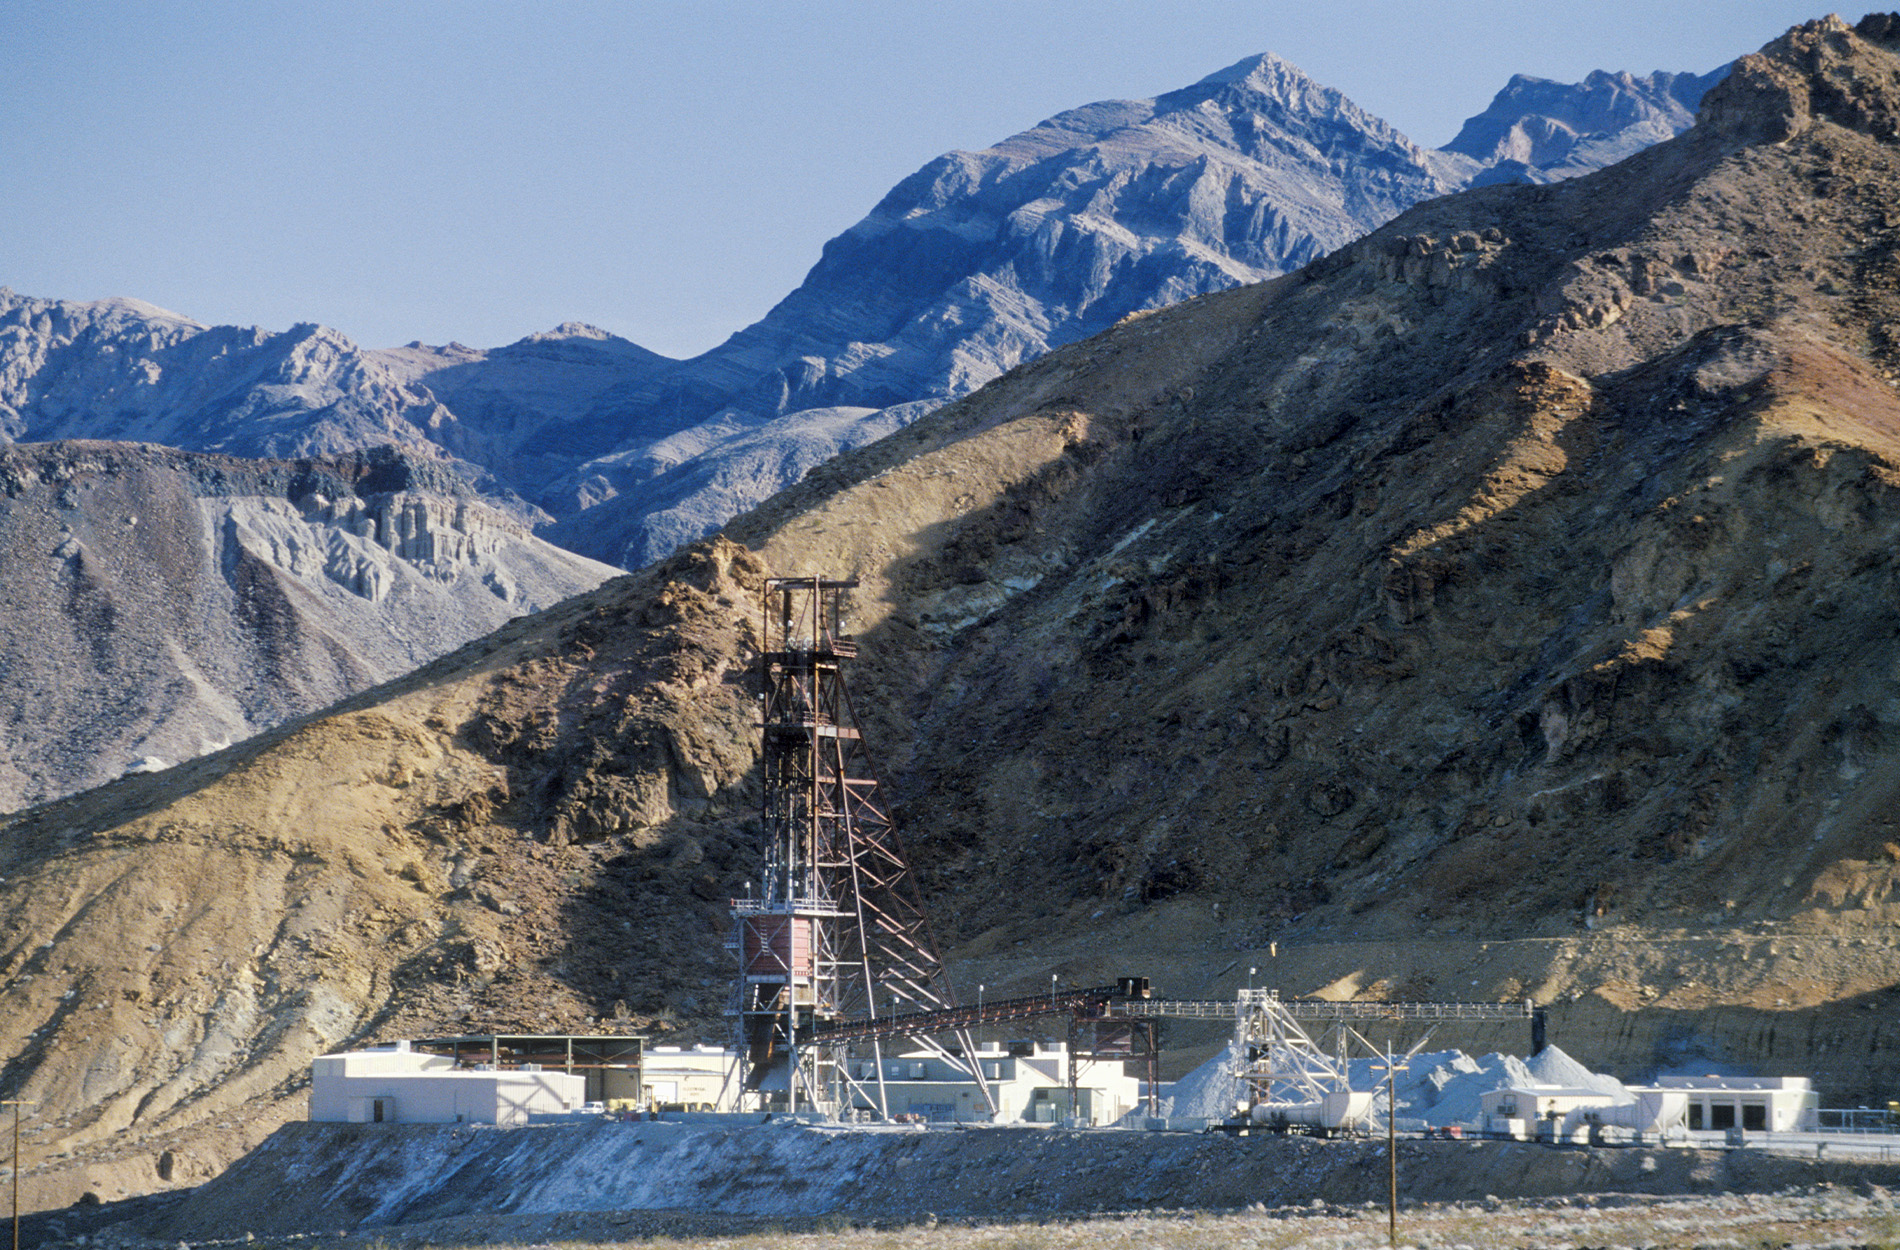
pixel 966 269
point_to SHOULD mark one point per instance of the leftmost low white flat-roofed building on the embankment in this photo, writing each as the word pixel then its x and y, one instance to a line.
pixel 408 1088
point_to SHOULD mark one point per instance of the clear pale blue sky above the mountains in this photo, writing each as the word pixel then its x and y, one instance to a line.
pixel 480 170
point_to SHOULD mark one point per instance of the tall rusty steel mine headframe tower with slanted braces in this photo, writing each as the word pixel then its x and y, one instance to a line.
pixel 837 930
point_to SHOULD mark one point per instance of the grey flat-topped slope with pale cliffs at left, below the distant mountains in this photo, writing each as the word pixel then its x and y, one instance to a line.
pixel 168 603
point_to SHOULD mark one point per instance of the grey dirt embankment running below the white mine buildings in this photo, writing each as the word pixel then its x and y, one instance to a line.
pixel 362 1179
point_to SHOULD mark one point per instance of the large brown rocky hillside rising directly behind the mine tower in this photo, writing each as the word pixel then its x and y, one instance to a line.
pixel 1500 607
